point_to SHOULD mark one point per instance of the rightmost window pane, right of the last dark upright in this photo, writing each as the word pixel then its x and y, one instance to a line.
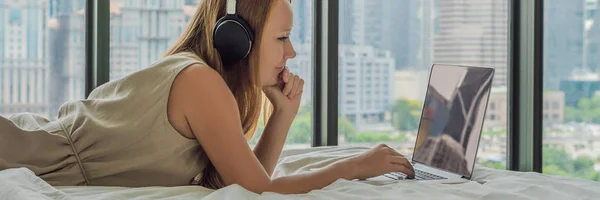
pixel 571 60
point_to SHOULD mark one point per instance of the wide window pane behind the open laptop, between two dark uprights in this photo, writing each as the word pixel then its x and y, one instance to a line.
pixel 405 46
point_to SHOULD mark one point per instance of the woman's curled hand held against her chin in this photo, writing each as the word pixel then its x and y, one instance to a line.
pixel 286 95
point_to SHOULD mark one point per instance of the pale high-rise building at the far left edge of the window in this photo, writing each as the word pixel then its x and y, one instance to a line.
pixel 24 58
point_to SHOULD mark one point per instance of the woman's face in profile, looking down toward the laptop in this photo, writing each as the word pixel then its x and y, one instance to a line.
pixel 275 46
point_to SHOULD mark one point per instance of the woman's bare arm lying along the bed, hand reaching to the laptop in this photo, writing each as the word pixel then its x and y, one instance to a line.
pixel 213 116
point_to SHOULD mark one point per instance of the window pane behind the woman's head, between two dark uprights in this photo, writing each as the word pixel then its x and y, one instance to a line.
pixel 140 36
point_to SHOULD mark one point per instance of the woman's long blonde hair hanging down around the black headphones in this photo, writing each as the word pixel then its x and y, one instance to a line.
pixel 242 78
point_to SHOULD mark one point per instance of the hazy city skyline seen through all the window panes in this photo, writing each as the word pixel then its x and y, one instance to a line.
pixel 386 49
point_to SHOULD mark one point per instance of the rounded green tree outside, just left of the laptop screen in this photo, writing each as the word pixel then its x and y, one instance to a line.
pixel 406 114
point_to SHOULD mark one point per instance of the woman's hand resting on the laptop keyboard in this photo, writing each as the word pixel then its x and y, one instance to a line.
pixel 377 161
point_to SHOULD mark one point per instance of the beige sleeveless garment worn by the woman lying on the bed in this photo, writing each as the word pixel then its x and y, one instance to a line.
pixel 119 136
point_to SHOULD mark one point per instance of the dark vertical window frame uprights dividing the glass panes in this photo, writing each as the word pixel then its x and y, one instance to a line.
pixel 524 144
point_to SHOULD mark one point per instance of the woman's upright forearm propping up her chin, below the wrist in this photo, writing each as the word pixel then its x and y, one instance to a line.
pixel 269 146
